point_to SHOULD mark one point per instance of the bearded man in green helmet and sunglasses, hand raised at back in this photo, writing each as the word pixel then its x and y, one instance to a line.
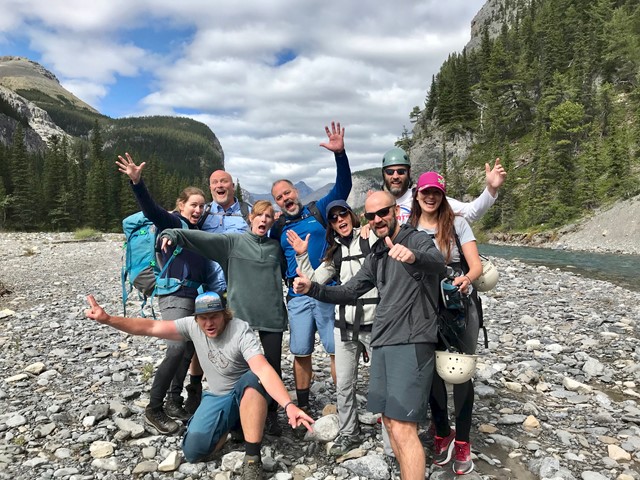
pixel 396 175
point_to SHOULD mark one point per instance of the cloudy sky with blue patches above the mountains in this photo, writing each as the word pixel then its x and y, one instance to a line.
pixel 265 75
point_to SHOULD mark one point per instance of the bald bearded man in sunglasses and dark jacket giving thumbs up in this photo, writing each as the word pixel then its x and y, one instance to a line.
pixel 404 332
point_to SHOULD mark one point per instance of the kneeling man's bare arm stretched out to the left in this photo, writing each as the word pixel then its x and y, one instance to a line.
pixel 133 326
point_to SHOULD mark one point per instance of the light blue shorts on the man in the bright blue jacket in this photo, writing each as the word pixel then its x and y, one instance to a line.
pixel 306 316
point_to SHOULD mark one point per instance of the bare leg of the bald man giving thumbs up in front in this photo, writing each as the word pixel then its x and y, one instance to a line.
pixel 407 447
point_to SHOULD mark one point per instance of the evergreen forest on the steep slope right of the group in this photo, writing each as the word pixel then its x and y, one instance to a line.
pixel 555 95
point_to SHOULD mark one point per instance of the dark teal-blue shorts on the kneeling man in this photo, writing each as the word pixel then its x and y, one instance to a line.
pixel 216 415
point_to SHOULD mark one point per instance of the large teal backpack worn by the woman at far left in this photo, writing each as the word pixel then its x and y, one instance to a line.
pixel 142 267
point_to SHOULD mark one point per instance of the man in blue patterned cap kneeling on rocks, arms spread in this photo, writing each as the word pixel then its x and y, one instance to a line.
pixel 237 373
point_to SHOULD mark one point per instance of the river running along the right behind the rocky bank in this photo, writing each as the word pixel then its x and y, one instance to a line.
pixel 622 270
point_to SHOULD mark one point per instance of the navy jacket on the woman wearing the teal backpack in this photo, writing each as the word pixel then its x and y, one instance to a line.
pixel 187 265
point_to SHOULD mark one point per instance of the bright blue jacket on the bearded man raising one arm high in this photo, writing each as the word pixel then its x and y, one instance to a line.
pixel 309 225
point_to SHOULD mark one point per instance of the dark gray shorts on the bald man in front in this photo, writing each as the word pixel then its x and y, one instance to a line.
pixel 400 381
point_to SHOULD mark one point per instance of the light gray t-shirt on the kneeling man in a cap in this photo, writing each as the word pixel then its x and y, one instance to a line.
pixel 224 358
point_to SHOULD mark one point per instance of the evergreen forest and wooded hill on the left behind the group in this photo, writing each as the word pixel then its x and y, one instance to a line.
pixel 75 183
